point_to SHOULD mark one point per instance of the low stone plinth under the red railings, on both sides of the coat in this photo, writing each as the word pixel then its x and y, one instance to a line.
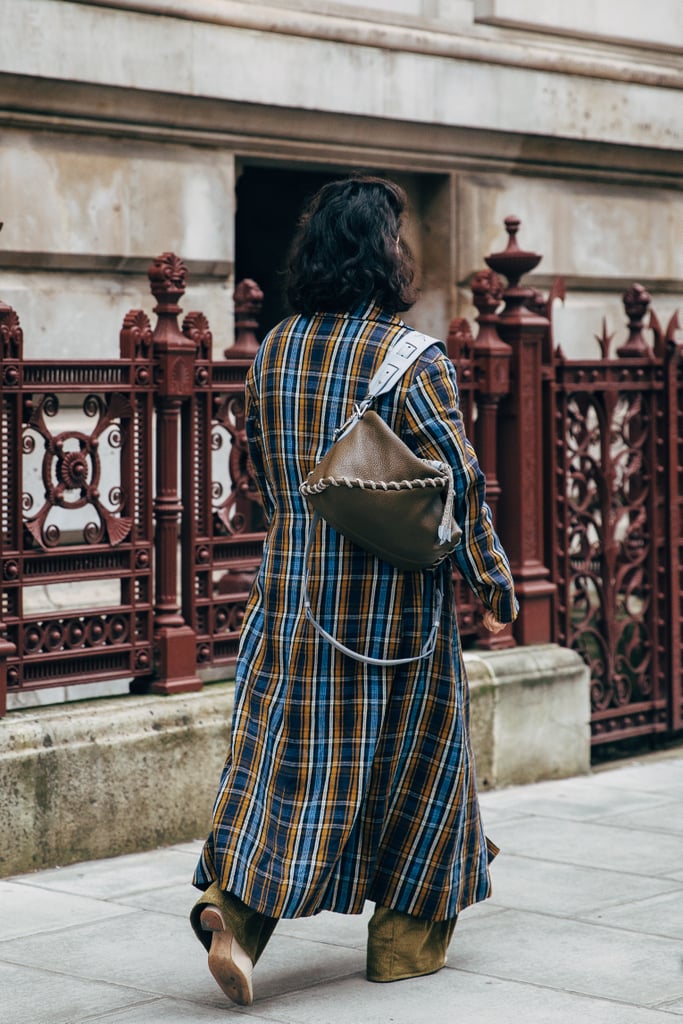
pixel 101 779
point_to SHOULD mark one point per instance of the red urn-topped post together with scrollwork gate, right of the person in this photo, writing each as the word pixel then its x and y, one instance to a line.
pixel 591 487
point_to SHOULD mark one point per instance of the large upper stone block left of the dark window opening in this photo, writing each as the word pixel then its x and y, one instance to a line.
pixel 104 199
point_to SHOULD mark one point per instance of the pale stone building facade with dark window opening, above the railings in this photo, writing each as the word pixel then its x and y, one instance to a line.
pixel 131 127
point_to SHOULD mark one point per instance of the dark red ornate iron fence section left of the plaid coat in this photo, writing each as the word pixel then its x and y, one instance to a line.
pixel 164 610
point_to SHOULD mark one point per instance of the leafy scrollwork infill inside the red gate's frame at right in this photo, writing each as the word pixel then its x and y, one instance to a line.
pixel 610 543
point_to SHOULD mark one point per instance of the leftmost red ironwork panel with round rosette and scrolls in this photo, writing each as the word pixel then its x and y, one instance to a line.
pixel 76 515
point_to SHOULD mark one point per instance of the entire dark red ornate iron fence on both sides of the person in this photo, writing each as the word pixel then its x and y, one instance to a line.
pixel 584 463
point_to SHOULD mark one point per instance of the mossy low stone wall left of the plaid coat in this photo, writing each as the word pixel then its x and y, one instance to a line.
pixel 112 777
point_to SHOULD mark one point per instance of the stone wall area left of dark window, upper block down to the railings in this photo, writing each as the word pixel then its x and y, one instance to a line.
pixel 83 219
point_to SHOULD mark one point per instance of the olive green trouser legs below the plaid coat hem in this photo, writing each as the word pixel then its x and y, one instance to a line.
pixel 399 945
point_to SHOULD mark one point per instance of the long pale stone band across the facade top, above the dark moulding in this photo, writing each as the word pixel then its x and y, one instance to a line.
pixel 433 80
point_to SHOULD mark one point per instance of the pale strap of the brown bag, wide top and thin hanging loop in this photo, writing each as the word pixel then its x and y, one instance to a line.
pixel 401 357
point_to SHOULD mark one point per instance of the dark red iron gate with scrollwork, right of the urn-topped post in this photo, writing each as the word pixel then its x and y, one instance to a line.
pixel 612 539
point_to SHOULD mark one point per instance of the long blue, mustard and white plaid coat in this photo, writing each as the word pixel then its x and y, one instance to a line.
pixel 345 782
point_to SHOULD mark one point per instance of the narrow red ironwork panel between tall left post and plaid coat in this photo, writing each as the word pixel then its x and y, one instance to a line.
pixel 223 538
